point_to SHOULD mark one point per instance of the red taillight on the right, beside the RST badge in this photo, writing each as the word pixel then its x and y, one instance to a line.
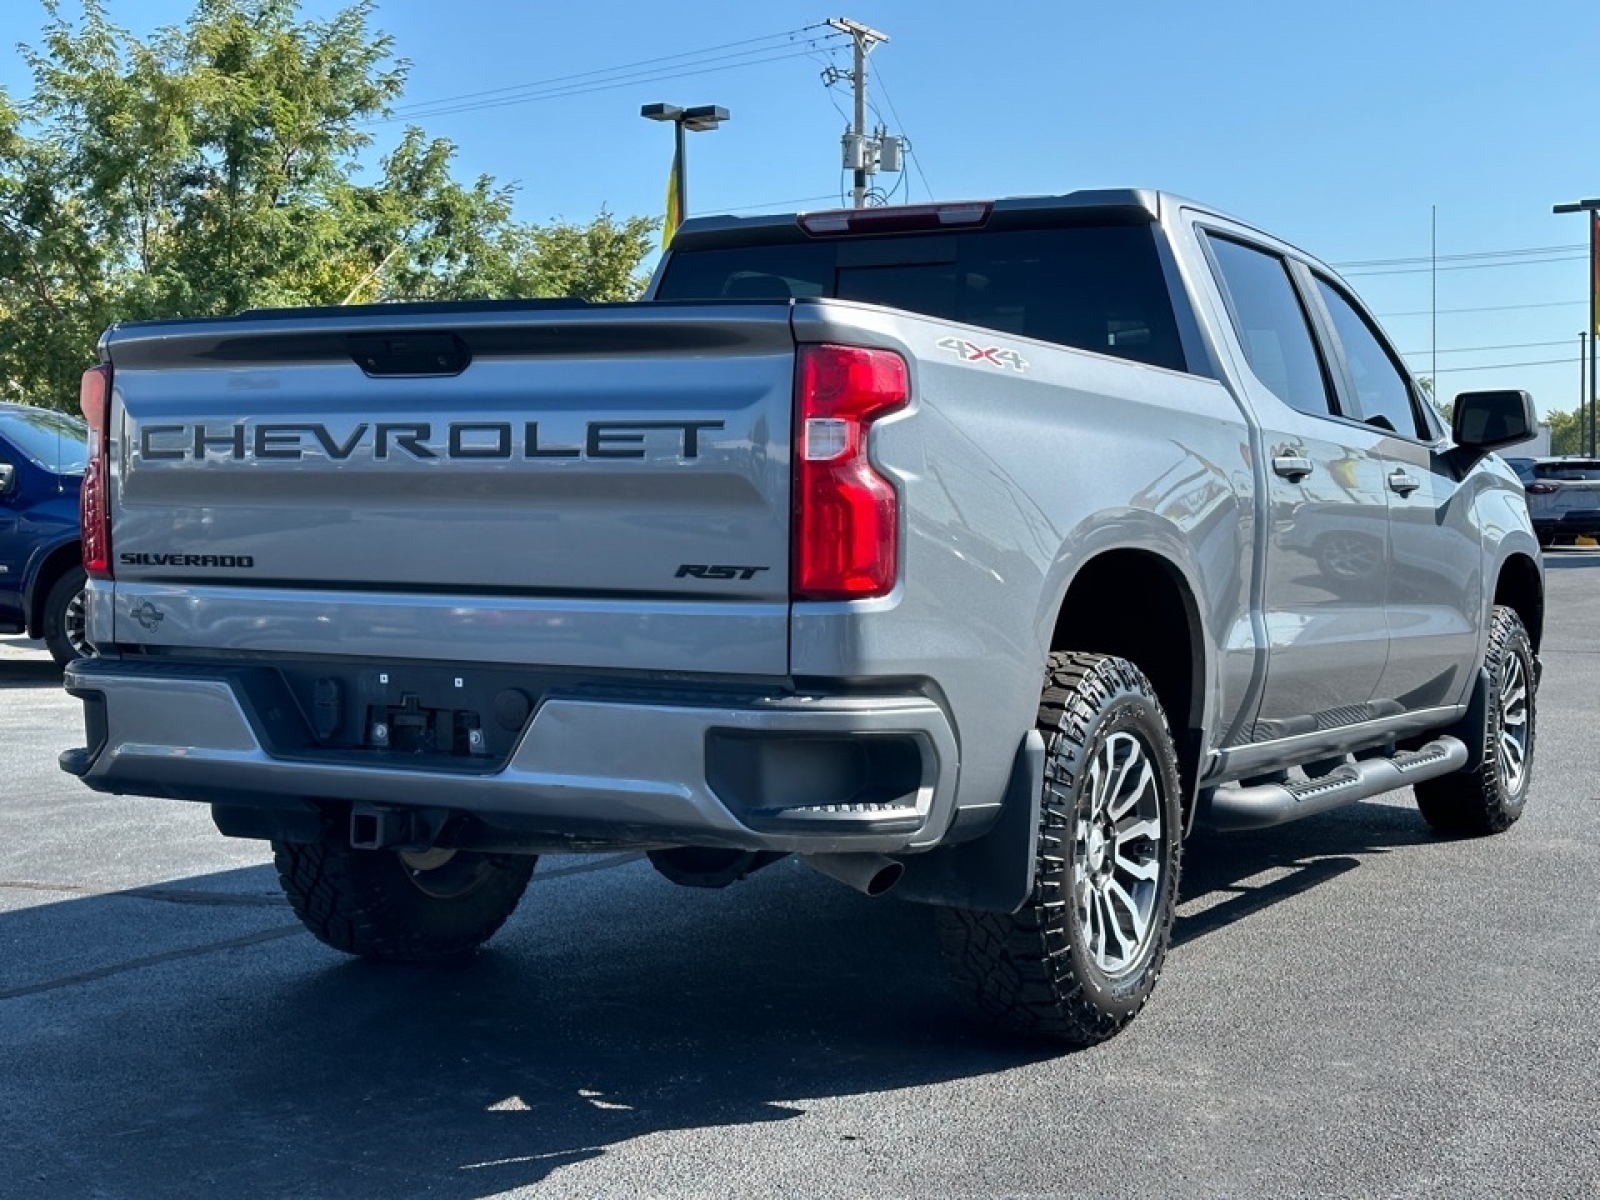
pixel 847 514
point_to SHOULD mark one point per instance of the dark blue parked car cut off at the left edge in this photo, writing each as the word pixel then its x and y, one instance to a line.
pixel 42 457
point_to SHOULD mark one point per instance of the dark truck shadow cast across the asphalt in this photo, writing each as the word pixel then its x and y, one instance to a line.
pixel 190 1038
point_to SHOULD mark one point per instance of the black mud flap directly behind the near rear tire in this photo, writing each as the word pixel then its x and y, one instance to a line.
pixel 993 873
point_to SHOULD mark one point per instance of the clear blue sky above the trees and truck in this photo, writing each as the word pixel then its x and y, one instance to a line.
pixel 1338 127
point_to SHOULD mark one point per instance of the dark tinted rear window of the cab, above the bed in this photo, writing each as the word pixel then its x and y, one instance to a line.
pixel 1092 287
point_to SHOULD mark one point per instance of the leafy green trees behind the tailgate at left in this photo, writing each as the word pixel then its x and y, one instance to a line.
pixel 220 166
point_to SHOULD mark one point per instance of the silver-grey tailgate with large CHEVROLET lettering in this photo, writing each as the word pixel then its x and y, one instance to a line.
pixel 615 457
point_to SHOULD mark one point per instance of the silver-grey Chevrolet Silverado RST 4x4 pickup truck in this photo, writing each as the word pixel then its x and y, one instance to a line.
pixel 969 553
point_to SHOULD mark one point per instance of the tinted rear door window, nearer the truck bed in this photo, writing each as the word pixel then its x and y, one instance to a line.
pixel 1273 327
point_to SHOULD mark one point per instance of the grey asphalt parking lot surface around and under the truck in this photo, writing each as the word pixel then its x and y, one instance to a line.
pixel 1353 1007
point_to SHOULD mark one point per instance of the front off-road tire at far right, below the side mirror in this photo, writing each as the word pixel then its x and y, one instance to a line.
pixel 1489 798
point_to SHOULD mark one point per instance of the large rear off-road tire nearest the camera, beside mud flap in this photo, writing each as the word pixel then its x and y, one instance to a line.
pixel 1036 972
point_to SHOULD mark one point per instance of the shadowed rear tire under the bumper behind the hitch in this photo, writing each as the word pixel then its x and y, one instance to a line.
pixel 370 903
